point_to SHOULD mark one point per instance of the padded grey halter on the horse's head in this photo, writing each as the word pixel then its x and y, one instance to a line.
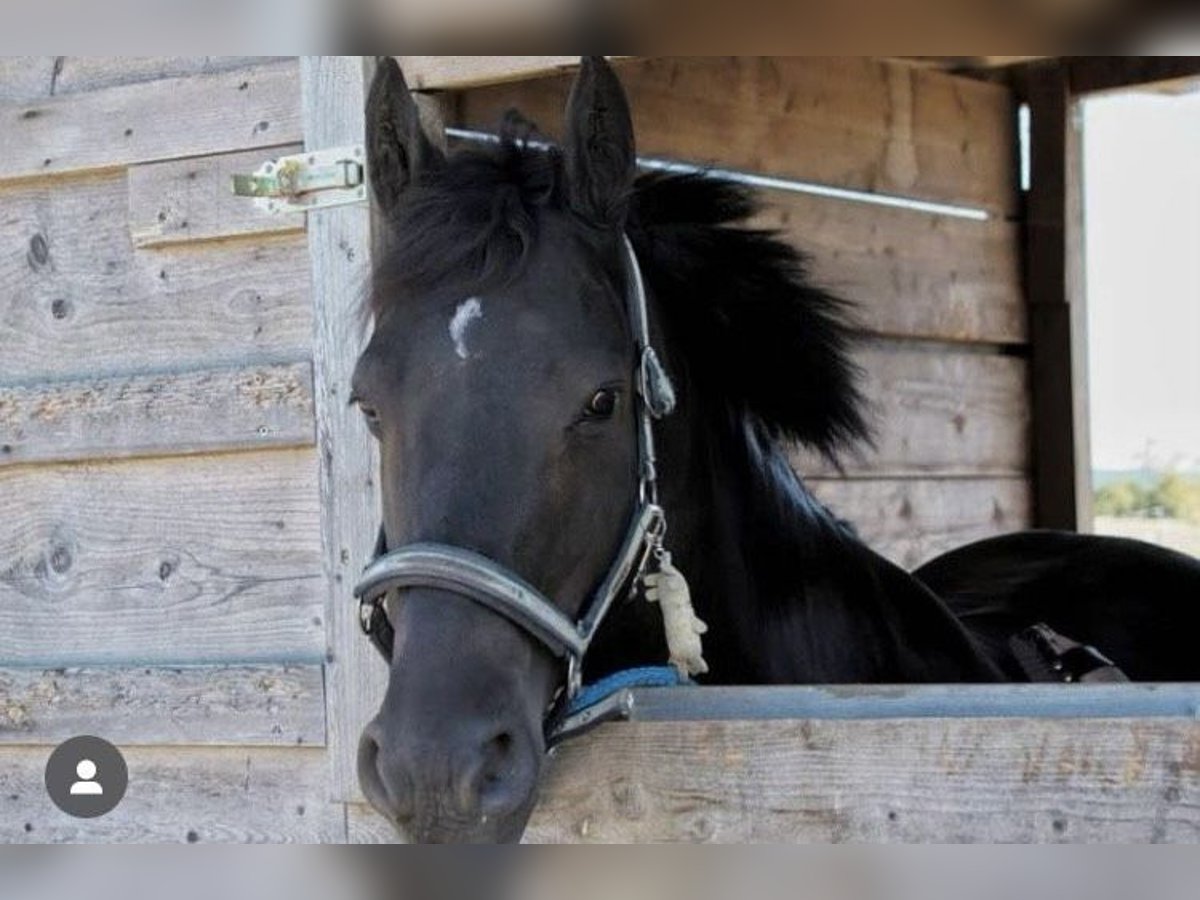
pixel 487 583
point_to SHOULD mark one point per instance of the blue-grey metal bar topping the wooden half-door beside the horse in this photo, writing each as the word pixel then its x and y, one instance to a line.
pixel 932 701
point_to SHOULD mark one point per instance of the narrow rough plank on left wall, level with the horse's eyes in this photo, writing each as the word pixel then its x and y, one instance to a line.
pixel 164 413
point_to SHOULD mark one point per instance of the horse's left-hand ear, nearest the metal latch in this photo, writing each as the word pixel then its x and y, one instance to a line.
pixel 398 147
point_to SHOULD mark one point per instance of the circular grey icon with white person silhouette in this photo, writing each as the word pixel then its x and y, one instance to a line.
pixel 87 777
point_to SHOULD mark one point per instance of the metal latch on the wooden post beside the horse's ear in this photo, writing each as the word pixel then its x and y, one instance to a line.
pixel 321 178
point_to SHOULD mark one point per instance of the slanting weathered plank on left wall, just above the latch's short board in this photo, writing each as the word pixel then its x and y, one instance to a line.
pixel 165 119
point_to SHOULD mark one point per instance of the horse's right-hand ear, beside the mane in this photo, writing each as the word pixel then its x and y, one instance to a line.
pixel 599 153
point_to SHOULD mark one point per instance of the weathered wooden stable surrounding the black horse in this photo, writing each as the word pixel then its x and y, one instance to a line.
pixel 189 496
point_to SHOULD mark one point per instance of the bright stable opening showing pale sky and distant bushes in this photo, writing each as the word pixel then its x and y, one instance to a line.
pixel 1142 221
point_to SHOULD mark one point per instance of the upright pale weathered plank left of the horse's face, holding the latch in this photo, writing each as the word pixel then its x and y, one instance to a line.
pixel 340 247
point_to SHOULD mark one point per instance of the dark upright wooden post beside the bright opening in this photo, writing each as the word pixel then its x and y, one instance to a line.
pixel 1054 291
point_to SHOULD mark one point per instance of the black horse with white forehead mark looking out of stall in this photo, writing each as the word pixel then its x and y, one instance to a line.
pixel 508 385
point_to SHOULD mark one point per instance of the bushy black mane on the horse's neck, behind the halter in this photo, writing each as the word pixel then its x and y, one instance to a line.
pixel 752 327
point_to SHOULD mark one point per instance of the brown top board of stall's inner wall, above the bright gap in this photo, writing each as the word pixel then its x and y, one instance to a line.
pixel 851 122
